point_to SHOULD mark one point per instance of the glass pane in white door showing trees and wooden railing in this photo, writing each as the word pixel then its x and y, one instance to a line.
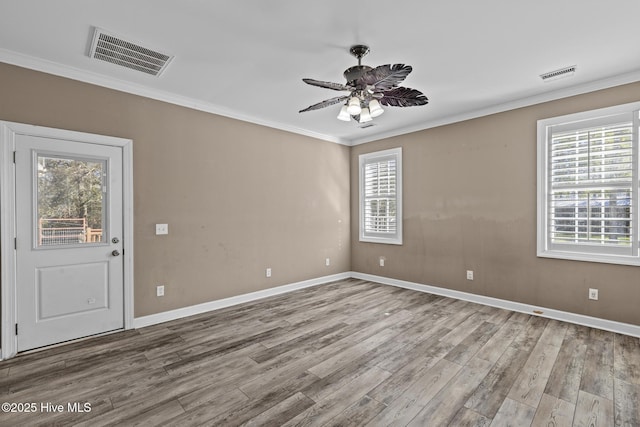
pixel 71 201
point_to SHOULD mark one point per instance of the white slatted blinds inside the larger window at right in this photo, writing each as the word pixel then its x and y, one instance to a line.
pixel 591 185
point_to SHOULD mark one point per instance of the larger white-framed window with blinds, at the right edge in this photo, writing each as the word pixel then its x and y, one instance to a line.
pixel 588 186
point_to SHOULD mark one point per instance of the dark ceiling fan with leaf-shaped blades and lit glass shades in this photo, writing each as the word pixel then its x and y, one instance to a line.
pixel 369 89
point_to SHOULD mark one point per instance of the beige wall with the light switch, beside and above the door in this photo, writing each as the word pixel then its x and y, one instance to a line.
pixel 238 197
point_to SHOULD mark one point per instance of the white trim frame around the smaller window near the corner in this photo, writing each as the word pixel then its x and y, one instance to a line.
pixel 366 158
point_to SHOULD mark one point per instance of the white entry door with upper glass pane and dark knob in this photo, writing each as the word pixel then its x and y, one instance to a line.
pixel 69 228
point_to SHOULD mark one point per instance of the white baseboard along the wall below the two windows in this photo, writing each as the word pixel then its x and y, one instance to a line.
pixel 579 319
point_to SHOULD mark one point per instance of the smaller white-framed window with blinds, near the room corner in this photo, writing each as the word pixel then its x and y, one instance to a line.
pixel 381 197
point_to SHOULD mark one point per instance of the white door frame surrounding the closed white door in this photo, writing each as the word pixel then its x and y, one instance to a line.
pixel 8 285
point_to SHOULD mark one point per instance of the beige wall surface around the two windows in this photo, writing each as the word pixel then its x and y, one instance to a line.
pixel 470 204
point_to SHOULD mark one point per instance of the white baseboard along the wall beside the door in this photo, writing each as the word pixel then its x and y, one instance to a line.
pixel 154 319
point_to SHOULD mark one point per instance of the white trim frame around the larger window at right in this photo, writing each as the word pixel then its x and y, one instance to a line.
pixel 587 252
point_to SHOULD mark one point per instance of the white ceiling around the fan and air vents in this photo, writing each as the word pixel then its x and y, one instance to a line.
pixel 245 59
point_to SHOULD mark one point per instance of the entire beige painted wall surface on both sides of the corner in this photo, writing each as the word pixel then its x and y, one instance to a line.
pixel 240 197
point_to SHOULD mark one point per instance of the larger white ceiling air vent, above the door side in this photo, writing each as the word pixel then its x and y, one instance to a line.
pixel 111 48
